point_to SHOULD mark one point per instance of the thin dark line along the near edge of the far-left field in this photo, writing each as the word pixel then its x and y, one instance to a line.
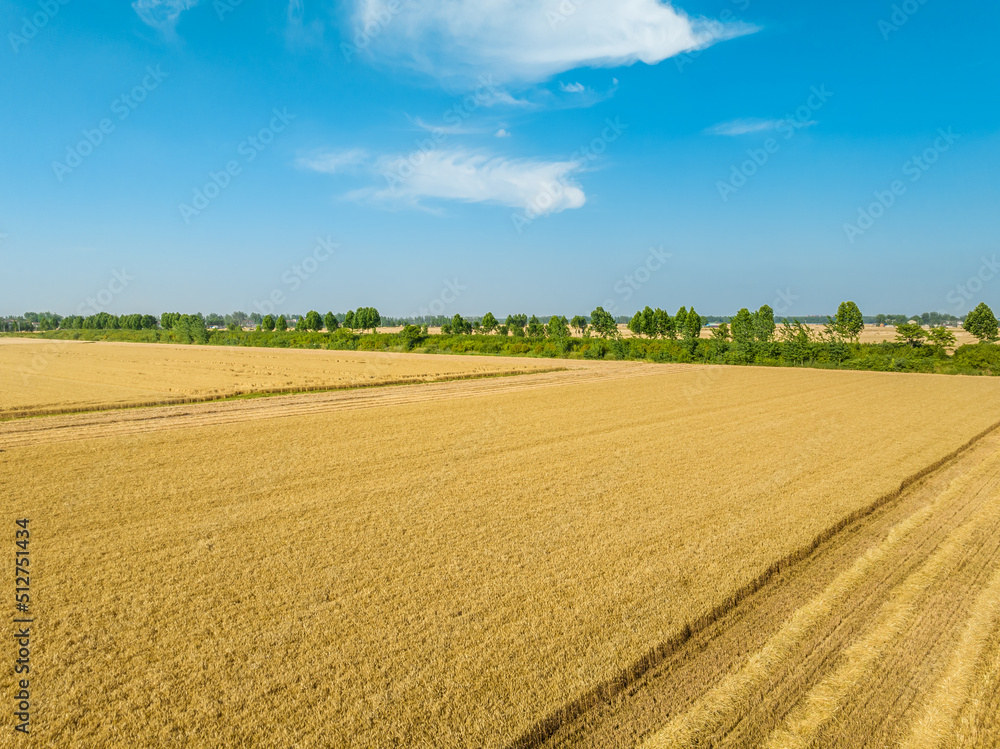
pixel 239 394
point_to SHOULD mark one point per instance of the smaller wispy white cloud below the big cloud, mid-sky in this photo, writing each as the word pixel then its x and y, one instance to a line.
pixel 541 187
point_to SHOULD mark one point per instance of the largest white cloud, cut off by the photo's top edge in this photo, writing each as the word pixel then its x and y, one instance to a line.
pixel 528 41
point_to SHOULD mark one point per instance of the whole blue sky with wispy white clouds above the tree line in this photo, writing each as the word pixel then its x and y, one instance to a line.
pixel 501 155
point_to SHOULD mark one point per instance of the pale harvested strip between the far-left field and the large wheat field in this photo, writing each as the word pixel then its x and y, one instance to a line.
pixel 71 427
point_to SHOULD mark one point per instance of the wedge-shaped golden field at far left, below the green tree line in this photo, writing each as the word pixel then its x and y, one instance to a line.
pixel 56 376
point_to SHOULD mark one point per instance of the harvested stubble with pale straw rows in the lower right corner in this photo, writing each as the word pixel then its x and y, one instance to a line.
pixel 886 636
